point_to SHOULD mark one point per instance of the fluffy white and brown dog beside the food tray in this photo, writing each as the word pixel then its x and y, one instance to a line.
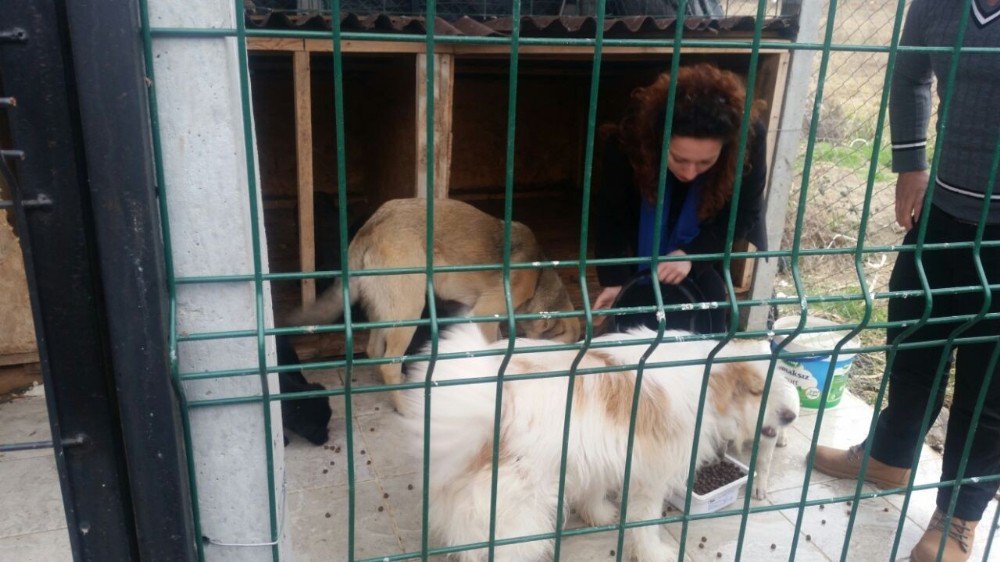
pixel 531 434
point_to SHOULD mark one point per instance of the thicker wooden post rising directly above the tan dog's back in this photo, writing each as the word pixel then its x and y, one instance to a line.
pixel 444 90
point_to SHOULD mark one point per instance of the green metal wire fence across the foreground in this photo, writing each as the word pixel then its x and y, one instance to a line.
pixel 798 250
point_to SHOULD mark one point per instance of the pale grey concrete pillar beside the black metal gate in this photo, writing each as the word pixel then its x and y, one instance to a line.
pixel 201 127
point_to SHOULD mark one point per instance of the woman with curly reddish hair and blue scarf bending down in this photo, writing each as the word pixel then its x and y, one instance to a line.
pixel 701 171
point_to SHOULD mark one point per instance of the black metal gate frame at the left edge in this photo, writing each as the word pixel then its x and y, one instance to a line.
pixel 84 201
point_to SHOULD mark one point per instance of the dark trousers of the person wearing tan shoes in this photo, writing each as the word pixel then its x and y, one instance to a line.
pixel 914 370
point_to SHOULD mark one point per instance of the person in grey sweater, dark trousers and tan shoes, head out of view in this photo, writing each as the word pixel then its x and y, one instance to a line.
pixel 959 196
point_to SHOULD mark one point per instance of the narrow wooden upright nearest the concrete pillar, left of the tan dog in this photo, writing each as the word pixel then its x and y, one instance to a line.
pixel 304 162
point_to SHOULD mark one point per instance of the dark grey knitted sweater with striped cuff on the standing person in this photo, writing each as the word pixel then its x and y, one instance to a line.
pixel 973 128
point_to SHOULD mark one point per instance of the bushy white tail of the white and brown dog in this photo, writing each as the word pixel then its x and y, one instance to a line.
pixel 462 416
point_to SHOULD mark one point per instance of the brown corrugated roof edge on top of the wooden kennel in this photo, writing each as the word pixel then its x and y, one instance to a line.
pixel 531 26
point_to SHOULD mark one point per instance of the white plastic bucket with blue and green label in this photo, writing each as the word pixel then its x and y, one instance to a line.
pixel 809 373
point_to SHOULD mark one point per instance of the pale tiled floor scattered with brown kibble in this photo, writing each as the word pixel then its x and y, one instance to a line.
pixel 388 496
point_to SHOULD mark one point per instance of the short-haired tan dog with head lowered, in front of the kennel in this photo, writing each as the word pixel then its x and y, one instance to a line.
pixel 395 237
